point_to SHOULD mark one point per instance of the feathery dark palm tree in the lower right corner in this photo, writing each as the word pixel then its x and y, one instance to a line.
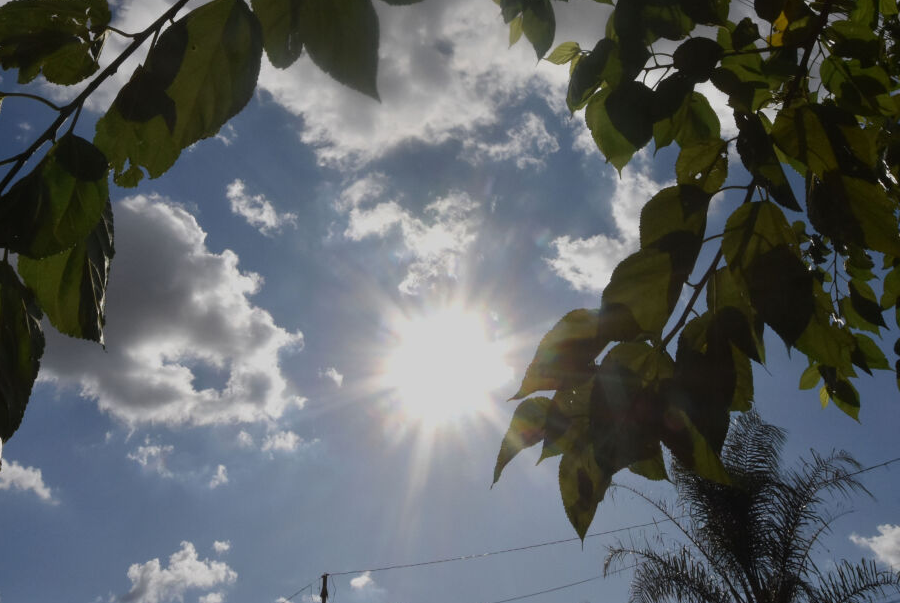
pixel 751 541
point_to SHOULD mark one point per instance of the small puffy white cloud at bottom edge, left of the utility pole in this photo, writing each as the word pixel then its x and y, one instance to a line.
pixel 152 583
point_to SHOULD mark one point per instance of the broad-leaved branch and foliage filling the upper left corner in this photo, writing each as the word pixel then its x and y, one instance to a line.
pixel 200 71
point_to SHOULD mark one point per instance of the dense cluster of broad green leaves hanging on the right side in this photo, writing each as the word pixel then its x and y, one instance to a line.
pixel 813 88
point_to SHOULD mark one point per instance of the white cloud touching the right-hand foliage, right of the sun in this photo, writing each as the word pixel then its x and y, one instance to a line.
pixel 588 263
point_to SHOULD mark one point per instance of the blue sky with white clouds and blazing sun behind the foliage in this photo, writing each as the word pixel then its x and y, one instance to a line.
pixel 282 392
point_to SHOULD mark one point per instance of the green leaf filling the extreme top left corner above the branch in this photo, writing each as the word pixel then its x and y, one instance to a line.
pixel 59 38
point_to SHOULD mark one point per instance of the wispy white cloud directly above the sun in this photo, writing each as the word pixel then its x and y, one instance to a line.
pixel 433 245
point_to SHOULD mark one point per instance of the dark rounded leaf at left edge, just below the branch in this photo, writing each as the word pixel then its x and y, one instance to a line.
pixel 58 203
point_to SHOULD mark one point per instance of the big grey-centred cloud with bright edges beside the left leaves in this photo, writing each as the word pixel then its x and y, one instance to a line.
pixel 175 305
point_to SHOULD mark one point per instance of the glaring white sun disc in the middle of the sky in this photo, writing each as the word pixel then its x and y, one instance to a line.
pixel 443 366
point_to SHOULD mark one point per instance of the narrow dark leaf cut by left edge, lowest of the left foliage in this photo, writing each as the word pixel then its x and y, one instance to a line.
pixel 21 348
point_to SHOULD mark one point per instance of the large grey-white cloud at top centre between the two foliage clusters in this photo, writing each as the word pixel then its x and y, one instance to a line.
pixel 445 72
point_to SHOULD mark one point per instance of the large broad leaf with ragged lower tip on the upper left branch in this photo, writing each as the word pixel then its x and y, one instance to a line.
pixel 201 72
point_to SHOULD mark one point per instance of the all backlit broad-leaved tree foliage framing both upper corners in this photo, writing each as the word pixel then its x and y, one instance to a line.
pixel 811 248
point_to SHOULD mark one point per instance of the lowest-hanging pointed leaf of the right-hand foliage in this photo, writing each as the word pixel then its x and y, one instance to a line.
pixel 582 484
